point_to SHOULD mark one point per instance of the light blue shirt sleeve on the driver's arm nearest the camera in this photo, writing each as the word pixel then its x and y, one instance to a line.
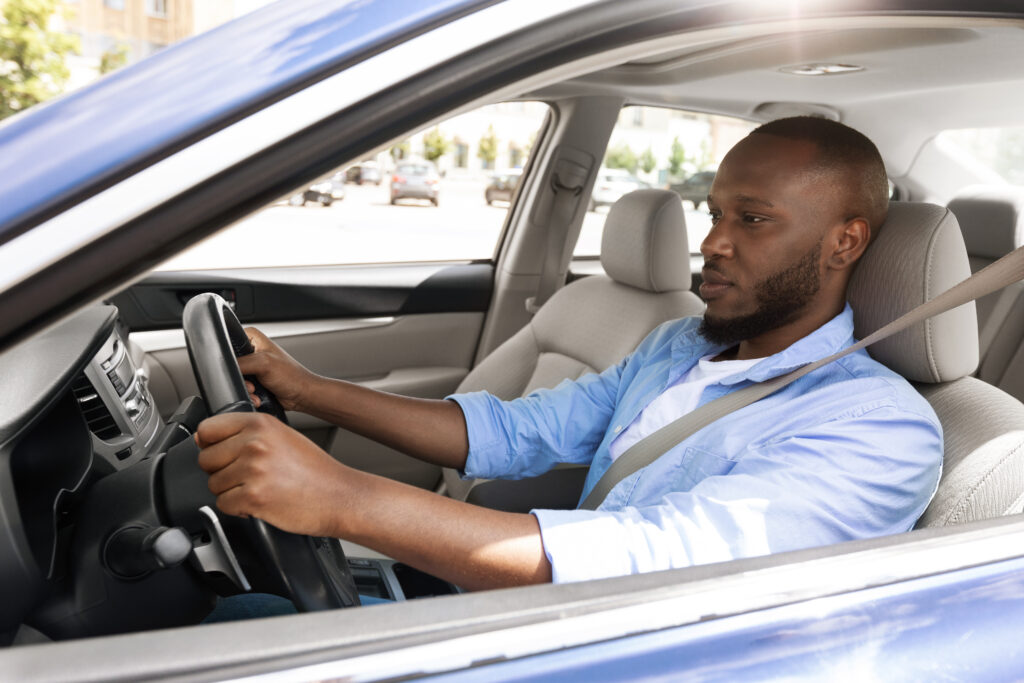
pixel 862 477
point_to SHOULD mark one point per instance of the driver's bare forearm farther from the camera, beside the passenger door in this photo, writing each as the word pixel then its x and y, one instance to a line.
pixel 429 430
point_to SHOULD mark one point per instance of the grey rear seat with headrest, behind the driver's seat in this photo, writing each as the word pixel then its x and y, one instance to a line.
pixel 993 222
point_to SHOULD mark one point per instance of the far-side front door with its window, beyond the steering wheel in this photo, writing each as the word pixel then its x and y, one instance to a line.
pixel 390 295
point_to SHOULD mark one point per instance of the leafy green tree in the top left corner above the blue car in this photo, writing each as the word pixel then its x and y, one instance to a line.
pixel 33 64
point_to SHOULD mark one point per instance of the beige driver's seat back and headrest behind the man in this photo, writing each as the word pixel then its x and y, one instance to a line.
pixel 920 253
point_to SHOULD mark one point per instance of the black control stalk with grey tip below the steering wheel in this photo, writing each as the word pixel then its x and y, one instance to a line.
pixel 135 551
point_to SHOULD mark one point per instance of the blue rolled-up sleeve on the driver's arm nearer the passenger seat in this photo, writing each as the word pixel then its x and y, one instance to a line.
pixel 530 436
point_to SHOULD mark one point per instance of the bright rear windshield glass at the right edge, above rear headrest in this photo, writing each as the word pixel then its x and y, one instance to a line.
pixel 995 152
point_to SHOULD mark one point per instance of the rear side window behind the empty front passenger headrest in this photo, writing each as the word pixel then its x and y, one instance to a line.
pixel 653 147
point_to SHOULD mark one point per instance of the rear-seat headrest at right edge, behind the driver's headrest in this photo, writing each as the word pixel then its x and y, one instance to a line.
pixel 993 220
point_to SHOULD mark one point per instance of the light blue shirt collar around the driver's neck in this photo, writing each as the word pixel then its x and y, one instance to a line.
pixel 830 338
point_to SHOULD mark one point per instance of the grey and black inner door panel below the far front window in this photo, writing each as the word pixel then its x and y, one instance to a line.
pixel 416 335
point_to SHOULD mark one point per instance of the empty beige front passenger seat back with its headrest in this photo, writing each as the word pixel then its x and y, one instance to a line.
pixel 593 323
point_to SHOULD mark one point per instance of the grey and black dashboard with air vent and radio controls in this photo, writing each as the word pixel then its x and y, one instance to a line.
pixel 74 410
